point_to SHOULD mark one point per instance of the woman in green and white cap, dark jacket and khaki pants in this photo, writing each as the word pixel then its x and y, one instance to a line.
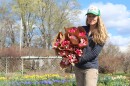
pixel 86 70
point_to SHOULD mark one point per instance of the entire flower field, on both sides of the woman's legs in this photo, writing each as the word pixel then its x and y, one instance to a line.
pixel 57 80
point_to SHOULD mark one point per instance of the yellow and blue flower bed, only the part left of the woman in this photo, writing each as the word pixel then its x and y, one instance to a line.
pixel 38 80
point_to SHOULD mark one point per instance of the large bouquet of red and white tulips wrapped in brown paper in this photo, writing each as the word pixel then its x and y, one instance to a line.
pixel 70 45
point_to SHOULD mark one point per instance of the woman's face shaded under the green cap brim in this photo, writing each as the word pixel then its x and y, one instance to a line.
pixel 92 19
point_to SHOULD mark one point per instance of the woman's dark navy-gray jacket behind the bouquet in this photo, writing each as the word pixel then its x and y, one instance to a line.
pixel 89 59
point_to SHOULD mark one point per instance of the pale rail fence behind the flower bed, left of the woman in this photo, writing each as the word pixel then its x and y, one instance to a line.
pixel 31 65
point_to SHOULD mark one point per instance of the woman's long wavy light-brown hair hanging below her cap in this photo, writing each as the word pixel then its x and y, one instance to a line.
pixel 100 34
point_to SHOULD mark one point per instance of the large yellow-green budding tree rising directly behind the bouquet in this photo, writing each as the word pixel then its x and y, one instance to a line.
pixel 54 17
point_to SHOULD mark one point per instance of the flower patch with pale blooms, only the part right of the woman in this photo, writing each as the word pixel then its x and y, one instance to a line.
pixel 113 80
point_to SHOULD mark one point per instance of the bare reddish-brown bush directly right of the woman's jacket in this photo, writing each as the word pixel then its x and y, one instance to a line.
pixel 110 59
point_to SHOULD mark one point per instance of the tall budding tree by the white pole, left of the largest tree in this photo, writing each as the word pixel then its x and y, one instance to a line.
pixel 25 12
